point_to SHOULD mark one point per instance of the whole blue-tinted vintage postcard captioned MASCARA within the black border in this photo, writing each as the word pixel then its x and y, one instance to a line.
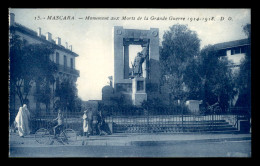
pixel 106 82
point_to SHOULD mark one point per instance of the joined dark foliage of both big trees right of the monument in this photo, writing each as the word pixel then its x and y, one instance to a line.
pixel 192 73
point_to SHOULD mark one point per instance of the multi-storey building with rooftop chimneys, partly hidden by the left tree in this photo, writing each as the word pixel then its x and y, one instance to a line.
pixel 63 57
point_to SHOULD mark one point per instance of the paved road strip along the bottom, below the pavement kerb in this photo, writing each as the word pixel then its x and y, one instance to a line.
pixel 208 149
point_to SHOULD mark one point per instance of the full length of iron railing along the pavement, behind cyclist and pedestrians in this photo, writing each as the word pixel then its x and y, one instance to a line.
pixel 148 123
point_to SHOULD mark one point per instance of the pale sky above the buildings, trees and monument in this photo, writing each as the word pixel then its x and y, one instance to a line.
pixel 92 39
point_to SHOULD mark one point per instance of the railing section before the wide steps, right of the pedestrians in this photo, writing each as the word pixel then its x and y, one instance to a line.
pixel 173 123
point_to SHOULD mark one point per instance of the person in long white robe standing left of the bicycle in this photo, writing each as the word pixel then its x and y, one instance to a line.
pixel 22 121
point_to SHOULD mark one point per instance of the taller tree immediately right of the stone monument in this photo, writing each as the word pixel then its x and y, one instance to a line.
pixel 179 47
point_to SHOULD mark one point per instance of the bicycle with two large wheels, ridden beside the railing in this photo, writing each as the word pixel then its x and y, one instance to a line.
pixel 46 135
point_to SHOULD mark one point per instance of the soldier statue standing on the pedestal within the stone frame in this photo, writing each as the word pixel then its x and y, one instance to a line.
pixel 138 61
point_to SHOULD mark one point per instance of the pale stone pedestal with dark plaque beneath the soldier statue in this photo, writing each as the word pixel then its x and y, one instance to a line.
pixel 138 91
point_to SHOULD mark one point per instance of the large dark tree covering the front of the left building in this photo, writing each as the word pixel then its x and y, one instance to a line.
pixel 29 65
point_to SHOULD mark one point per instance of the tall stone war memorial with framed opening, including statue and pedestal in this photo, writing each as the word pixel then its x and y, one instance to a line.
pixel 143 82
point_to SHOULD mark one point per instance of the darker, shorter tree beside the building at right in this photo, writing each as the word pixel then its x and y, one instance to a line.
pixel 217 80
